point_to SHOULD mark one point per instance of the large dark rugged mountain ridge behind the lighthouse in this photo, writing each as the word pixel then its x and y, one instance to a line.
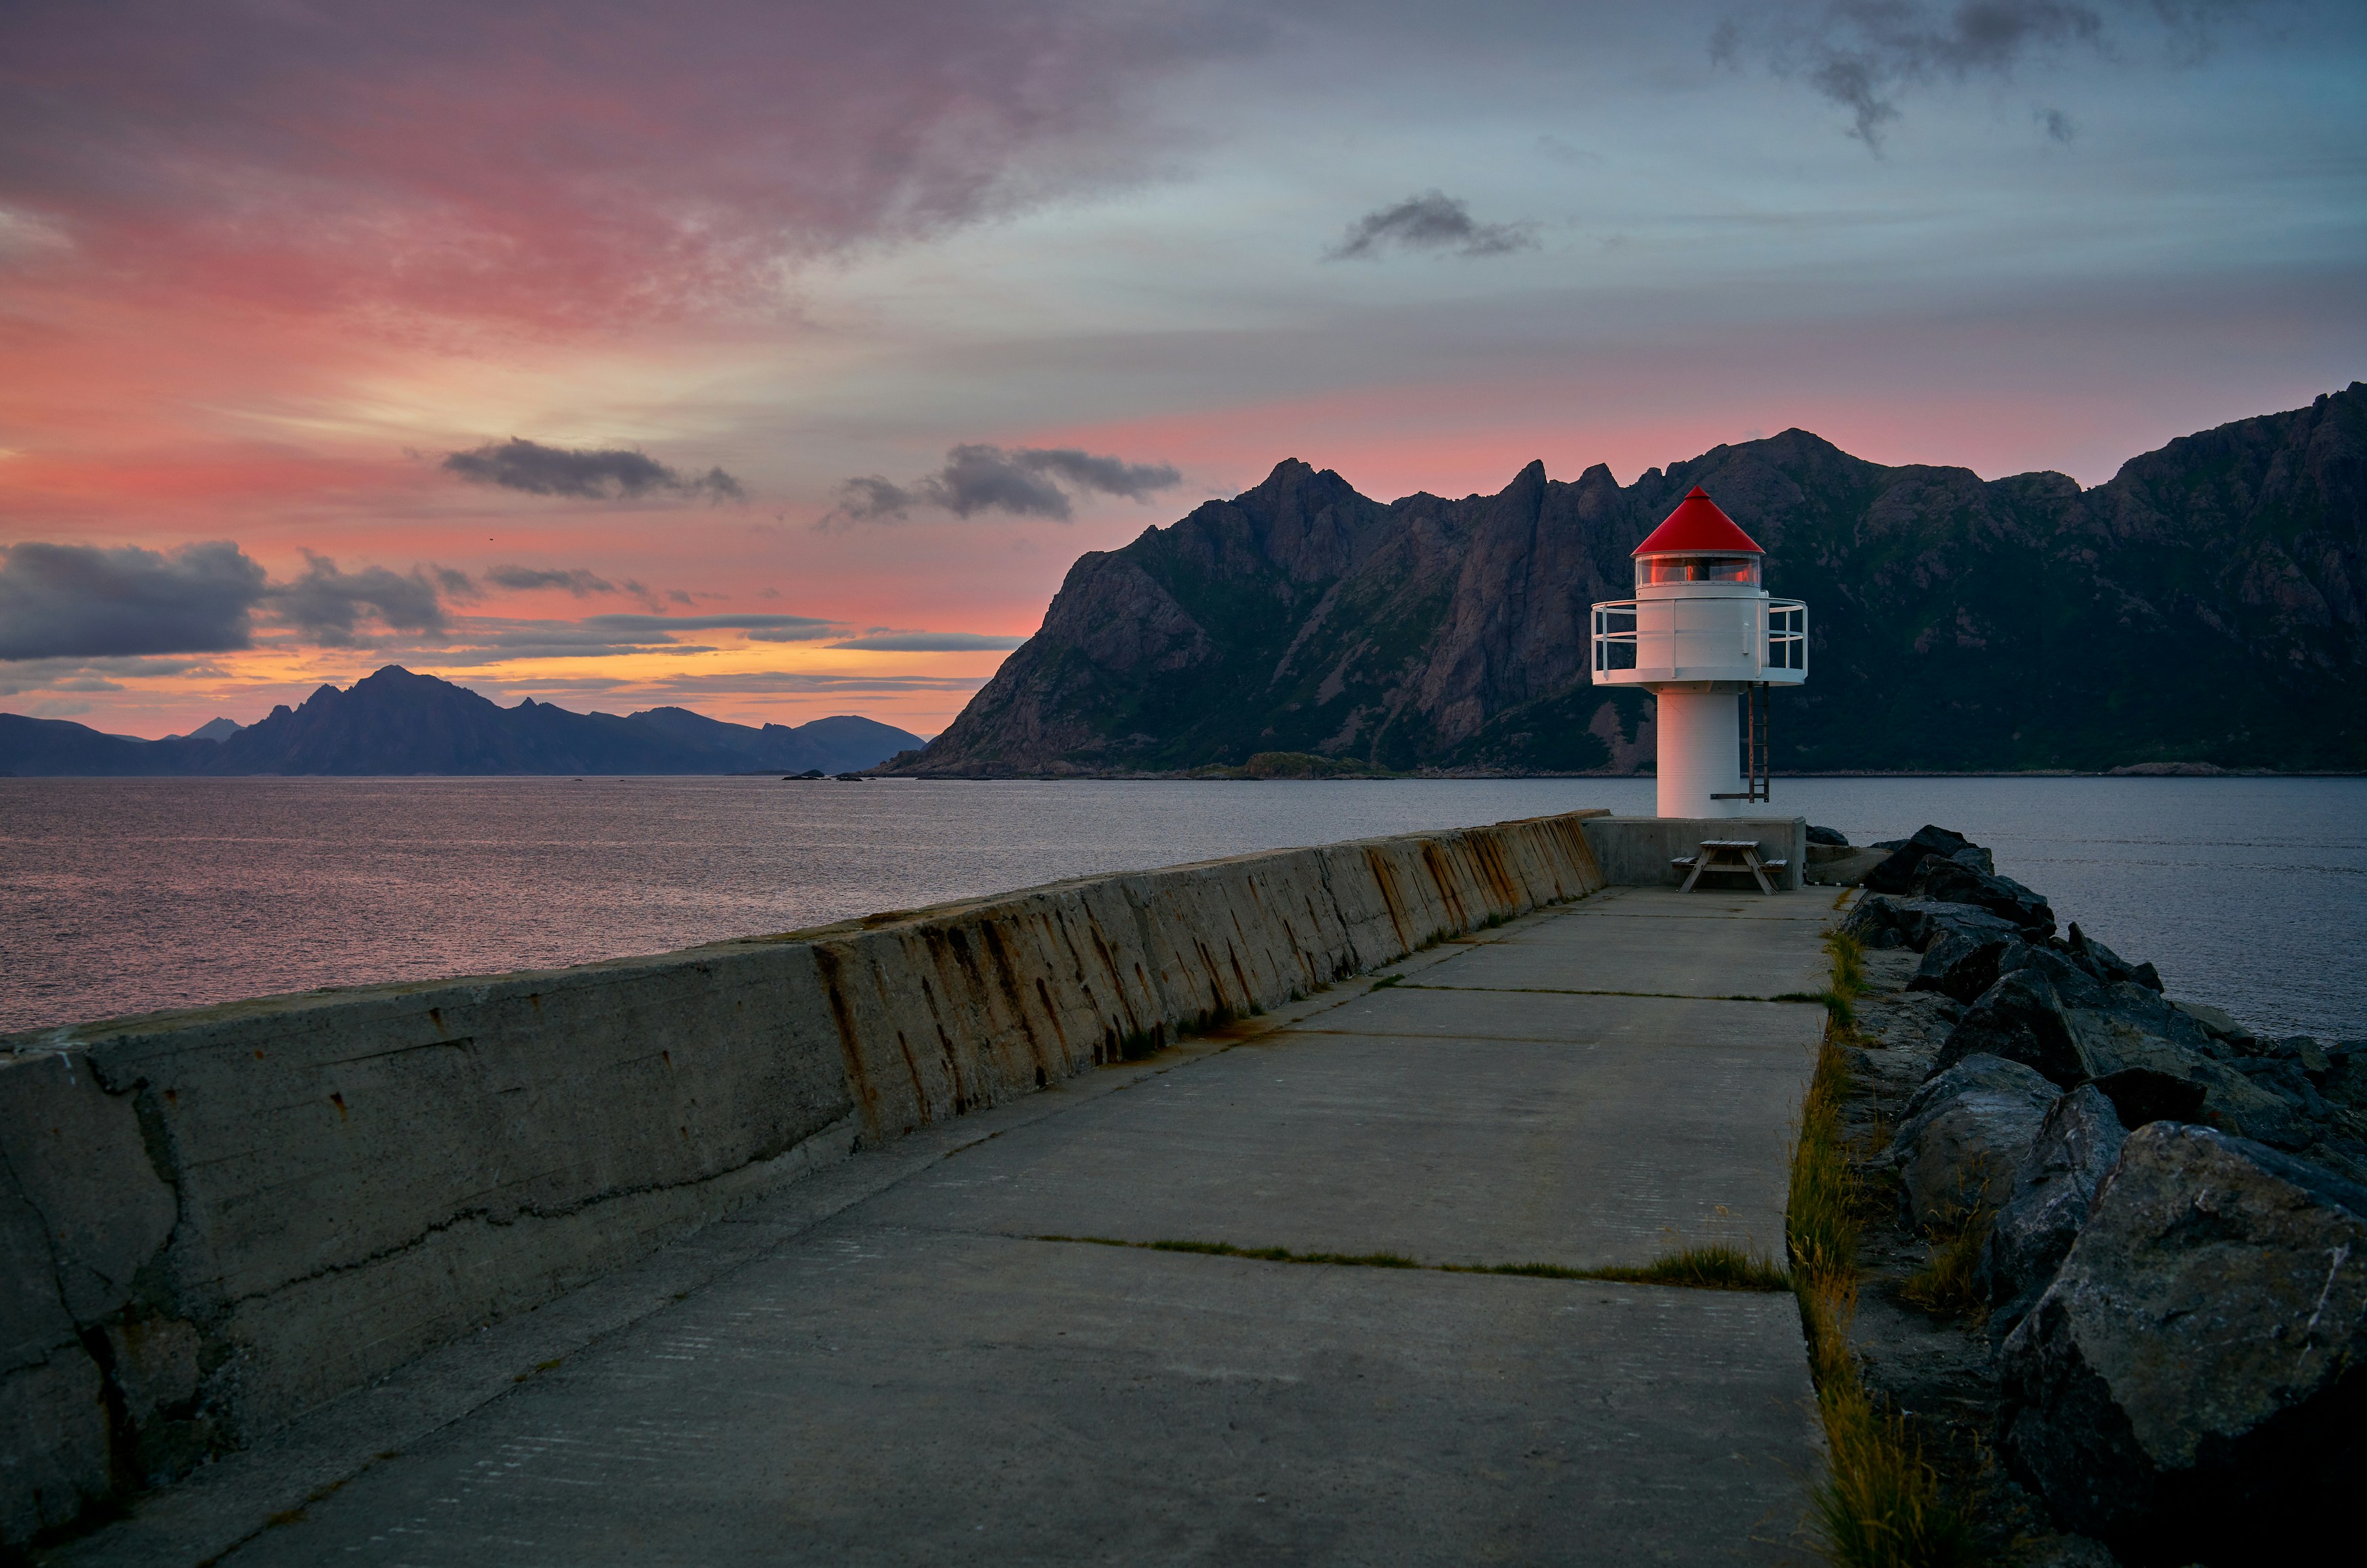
pixel 2205 607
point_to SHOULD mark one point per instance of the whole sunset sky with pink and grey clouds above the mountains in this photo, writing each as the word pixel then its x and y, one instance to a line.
pixel 778 361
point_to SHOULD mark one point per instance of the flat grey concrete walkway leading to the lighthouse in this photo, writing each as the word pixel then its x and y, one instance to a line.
pixel 894 1363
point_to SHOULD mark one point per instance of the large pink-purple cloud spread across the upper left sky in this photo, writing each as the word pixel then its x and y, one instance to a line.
pixel 550 167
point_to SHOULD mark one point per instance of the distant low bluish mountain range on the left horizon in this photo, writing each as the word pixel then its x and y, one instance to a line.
pixel 401 723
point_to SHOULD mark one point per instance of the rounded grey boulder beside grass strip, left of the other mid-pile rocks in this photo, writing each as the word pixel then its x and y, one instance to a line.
pixel 1963 1139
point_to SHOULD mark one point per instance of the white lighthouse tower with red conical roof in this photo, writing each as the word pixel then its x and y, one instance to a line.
pixel 1708 642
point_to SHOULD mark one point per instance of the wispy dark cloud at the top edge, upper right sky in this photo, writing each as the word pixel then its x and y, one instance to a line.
pixel 1864 56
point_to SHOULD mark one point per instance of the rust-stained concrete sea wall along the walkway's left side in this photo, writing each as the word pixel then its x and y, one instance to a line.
pixel 214 1222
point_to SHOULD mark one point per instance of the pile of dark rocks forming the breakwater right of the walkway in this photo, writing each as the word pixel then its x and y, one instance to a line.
pixel 2155 1214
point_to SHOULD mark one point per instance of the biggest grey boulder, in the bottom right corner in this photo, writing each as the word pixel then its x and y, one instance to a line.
pixel 2193 1385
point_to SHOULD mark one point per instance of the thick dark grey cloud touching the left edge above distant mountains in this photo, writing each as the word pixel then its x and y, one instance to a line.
pixel 93 602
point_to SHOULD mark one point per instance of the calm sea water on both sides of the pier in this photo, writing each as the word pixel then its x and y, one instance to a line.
pixel 138 895
